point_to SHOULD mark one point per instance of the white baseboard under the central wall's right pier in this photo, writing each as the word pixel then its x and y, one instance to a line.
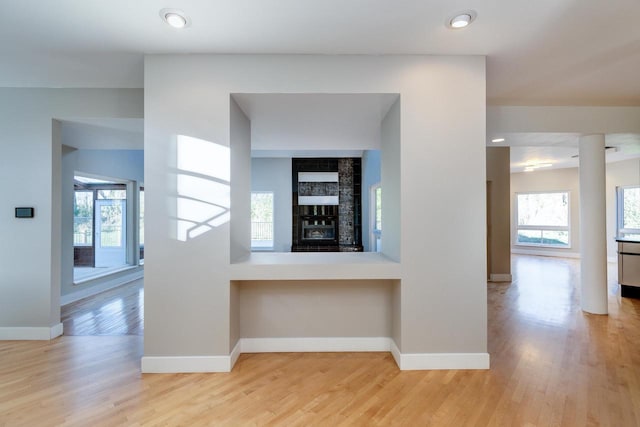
pixel 432 361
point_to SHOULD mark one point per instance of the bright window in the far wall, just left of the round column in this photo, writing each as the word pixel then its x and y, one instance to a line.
pixel 543 219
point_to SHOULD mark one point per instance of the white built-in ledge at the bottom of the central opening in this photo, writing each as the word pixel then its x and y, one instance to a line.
pixel 315 266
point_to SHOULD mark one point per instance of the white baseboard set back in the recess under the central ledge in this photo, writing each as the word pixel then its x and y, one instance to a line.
pixel 319 344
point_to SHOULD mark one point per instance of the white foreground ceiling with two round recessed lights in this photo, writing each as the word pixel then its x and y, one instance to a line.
pixel 571 52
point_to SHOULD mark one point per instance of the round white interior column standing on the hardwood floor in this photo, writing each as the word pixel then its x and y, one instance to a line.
pixel 593 236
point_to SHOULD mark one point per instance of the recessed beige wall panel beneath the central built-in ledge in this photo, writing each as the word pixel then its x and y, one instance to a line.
pixel 291 309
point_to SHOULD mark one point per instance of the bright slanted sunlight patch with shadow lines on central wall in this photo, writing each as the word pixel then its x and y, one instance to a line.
pixel 203 178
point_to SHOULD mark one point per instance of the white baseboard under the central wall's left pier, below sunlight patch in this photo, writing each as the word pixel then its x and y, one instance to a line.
pixel 179 364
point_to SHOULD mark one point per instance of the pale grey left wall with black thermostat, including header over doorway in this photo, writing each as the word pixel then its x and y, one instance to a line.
pixel 30 167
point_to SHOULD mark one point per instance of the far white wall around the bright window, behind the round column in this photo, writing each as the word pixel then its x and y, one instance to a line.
pixel 618 174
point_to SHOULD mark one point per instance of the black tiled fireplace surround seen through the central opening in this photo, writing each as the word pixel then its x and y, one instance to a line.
pixel 349 224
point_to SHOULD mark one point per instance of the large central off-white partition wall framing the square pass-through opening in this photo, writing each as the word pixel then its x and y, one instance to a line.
pixel 443 306
